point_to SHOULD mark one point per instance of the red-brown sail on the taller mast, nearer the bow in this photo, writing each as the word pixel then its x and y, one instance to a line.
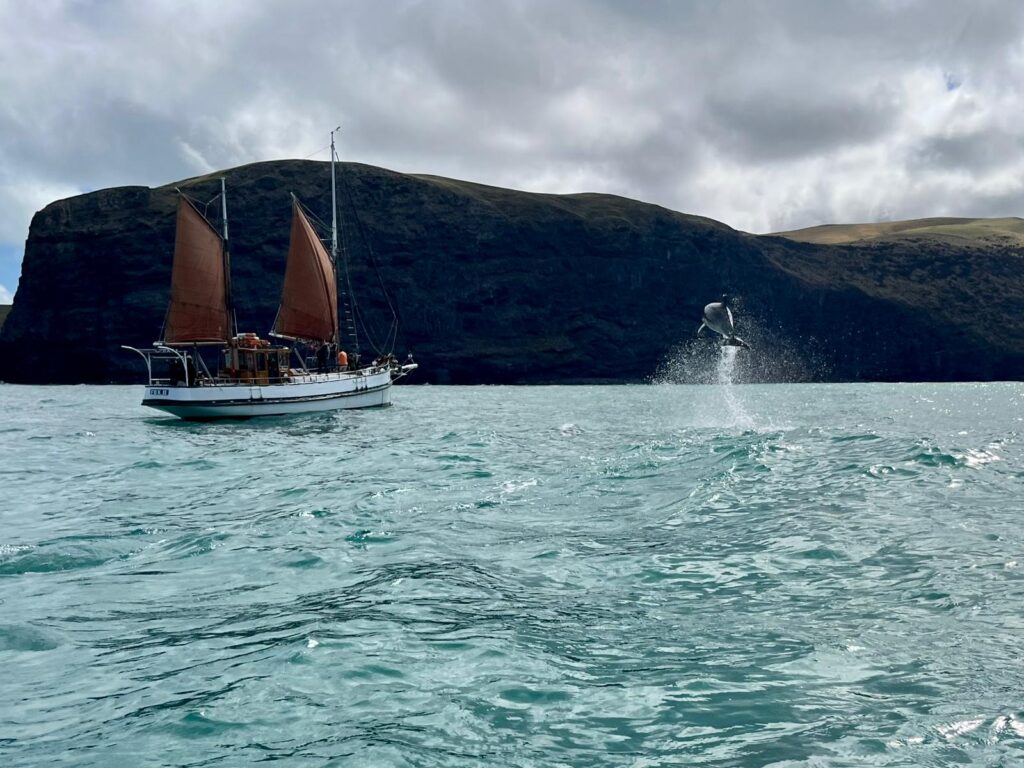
pixel 310 300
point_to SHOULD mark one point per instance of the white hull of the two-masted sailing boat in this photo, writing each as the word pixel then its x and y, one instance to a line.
pixel 307 394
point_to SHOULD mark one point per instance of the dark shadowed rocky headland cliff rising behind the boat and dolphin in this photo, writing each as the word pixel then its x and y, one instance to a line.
pixel 495 286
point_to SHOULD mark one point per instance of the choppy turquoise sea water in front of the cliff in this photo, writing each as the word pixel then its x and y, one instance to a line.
pixel 633 576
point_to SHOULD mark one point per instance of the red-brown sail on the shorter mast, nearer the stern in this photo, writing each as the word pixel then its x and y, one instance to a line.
pixel 198 313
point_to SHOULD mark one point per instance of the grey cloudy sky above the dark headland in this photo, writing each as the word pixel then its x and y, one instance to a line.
pixel 767 115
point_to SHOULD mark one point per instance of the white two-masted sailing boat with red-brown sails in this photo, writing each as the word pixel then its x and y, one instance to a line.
pixel 257 377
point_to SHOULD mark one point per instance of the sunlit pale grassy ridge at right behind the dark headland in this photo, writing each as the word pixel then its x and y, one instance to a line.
pixel 997 232
